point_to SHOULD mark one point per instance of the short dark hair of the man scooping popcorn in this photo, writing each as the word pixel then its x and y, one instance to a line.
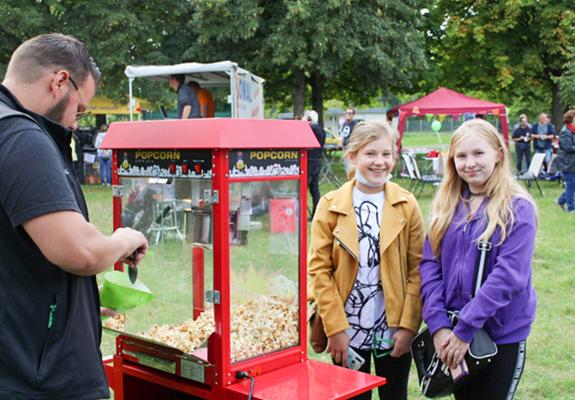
pixel 55 51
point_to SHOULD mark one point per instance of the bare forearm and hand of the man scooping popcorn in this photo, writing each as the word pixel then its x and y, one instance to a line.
pixel 68 241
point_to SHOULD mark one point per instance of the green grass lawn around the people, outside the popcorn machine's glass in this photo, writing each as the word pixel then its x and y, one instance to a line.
pixel 550 367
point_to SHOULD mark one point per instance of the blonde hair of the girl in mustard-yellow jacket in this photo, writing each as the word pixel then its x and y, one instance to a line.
pixel 366 132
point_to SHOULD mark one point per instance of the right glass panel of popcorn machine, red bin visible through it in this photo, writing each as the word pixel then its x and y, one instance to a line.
pixel 264 267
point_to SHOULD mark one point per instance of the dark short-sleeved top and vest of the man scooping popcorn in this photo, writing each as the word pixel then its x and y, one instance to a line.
pixel 50 328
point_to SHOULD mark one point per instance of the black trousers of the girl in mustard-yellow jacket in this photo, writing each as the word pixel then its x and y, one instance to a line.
pixel 395 370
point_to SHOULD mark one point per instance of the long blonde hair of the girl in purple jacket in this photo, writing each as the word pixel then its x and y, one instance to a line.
pixel 500 187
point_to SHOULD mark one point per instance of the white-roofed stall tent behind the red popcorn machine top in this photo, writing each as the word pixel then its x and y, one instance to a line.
pixel 246 89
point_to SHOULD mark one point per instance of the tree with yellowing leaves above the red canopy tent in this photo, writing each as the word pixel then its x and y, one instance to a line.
pixel 514 51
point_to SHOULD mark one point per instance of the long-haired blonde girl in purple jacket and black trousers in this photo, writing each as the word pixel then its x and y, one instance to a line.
pixel 479 200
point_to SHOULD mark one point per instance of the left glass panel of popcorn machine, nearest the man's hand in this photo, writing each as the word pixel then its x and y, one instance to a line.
pixel 177 220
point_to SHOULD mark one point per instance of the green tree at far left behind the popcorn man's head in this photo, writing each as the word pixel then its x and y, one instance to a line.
pixel 116 32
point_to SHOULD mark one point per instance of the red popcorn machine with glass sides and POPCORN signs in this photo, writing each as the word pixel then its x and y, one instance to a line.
pixel 223 204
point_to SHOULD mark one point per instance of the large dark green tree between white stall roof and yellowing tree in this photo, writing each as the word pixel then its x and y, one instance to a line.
pixel 341 47
